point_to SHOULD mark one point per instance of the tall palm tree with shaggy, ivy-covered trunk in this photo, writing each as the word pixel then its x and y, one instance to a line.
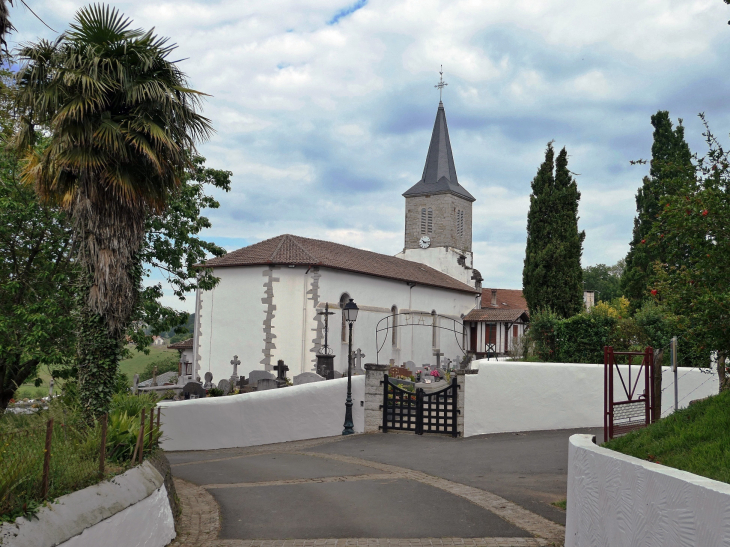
pixel 121 123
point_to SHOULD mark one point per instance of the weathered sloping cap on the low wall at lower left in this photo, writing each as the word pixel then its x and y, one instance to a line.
pixel 71 514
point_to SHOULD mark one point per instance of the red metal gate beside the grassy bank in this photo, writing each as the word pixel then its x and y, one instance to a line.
pixel 624 407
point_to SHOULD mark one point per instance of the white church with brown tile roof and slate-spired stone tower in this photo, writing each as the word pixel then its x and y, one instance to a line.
pixel 271 299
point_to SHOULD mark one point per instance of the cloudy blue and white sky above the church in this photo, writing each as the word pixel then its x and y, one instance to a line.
pixel 323 109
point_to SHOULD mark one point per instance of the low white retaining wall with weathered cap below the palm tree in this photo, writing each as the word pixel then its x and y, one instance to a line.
pixel 130 509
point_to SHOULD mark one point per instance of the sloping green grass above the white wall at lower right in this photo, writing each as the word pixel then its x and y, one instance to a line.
pixel 695 439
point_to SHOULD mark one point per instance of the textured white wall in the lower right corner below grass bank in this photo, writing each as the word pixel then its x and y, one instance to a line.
pixel 616 500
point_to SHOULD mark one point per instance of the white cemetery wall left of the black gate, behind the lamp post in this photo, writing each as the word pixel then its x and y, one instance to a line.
pixel 307 411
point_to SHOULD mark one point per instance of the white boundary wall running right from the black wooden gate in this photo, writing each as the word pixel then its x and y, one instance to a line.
pixel 506 396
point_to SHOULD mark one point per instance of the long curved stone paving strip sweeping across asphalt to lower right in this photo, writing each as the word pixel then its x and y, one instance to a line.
pixel 505 509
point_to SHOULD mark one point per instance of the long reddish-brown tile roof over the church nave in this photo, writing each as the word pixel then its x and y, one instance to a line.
pixel 289 249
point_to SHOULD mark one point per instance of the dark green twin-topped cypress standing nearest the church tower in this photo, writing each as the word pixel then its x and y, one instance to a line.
pixel 552 276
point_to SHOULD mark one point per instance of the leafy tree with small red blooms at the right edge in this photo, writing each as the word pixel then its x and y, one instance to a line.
pixel 693 280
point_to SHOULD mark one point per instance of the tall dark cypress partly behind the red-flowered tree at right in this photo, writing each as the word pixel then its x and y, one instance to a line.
pixel 671 162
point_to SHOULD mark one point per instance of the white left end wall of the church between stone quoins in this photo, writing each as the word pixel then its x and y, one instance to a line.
pixel 231 322
